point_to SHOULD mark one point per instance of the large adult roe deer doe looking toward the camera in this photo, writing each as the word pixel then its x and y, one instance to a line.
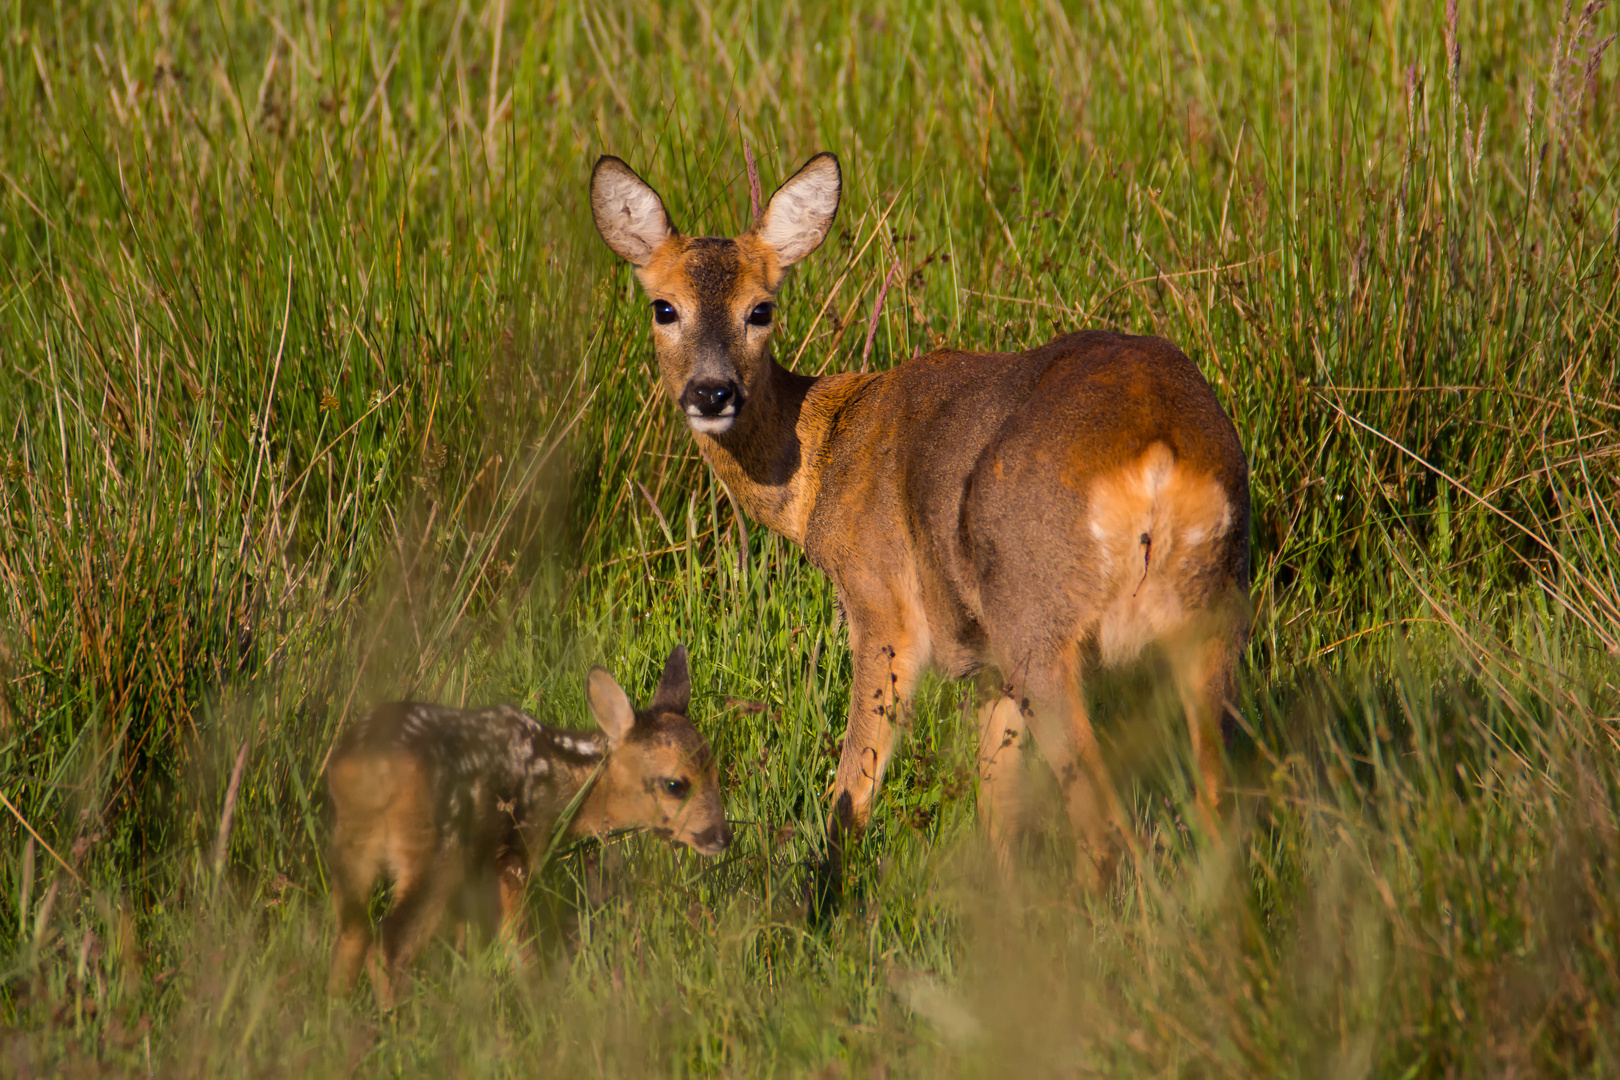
pixel 1038 514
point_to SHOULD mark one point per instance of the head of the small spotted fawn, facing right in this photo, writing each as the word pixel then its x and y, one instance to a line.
pixel 660 772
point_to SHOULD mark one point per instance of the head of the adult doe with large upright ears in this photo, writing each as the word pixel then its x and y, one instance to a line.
pixel 714 299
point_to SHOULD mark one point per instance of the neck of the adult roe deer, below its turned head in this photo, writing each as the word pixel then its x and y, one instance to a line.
pixel 770 459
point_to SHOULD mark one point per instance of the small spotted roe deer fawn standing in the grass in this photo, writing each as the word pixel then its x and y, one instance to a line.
pixel 454 806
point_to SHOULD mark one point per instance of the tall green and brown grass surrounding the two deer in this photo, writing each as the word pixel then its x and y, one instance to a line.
pixel 320 391
